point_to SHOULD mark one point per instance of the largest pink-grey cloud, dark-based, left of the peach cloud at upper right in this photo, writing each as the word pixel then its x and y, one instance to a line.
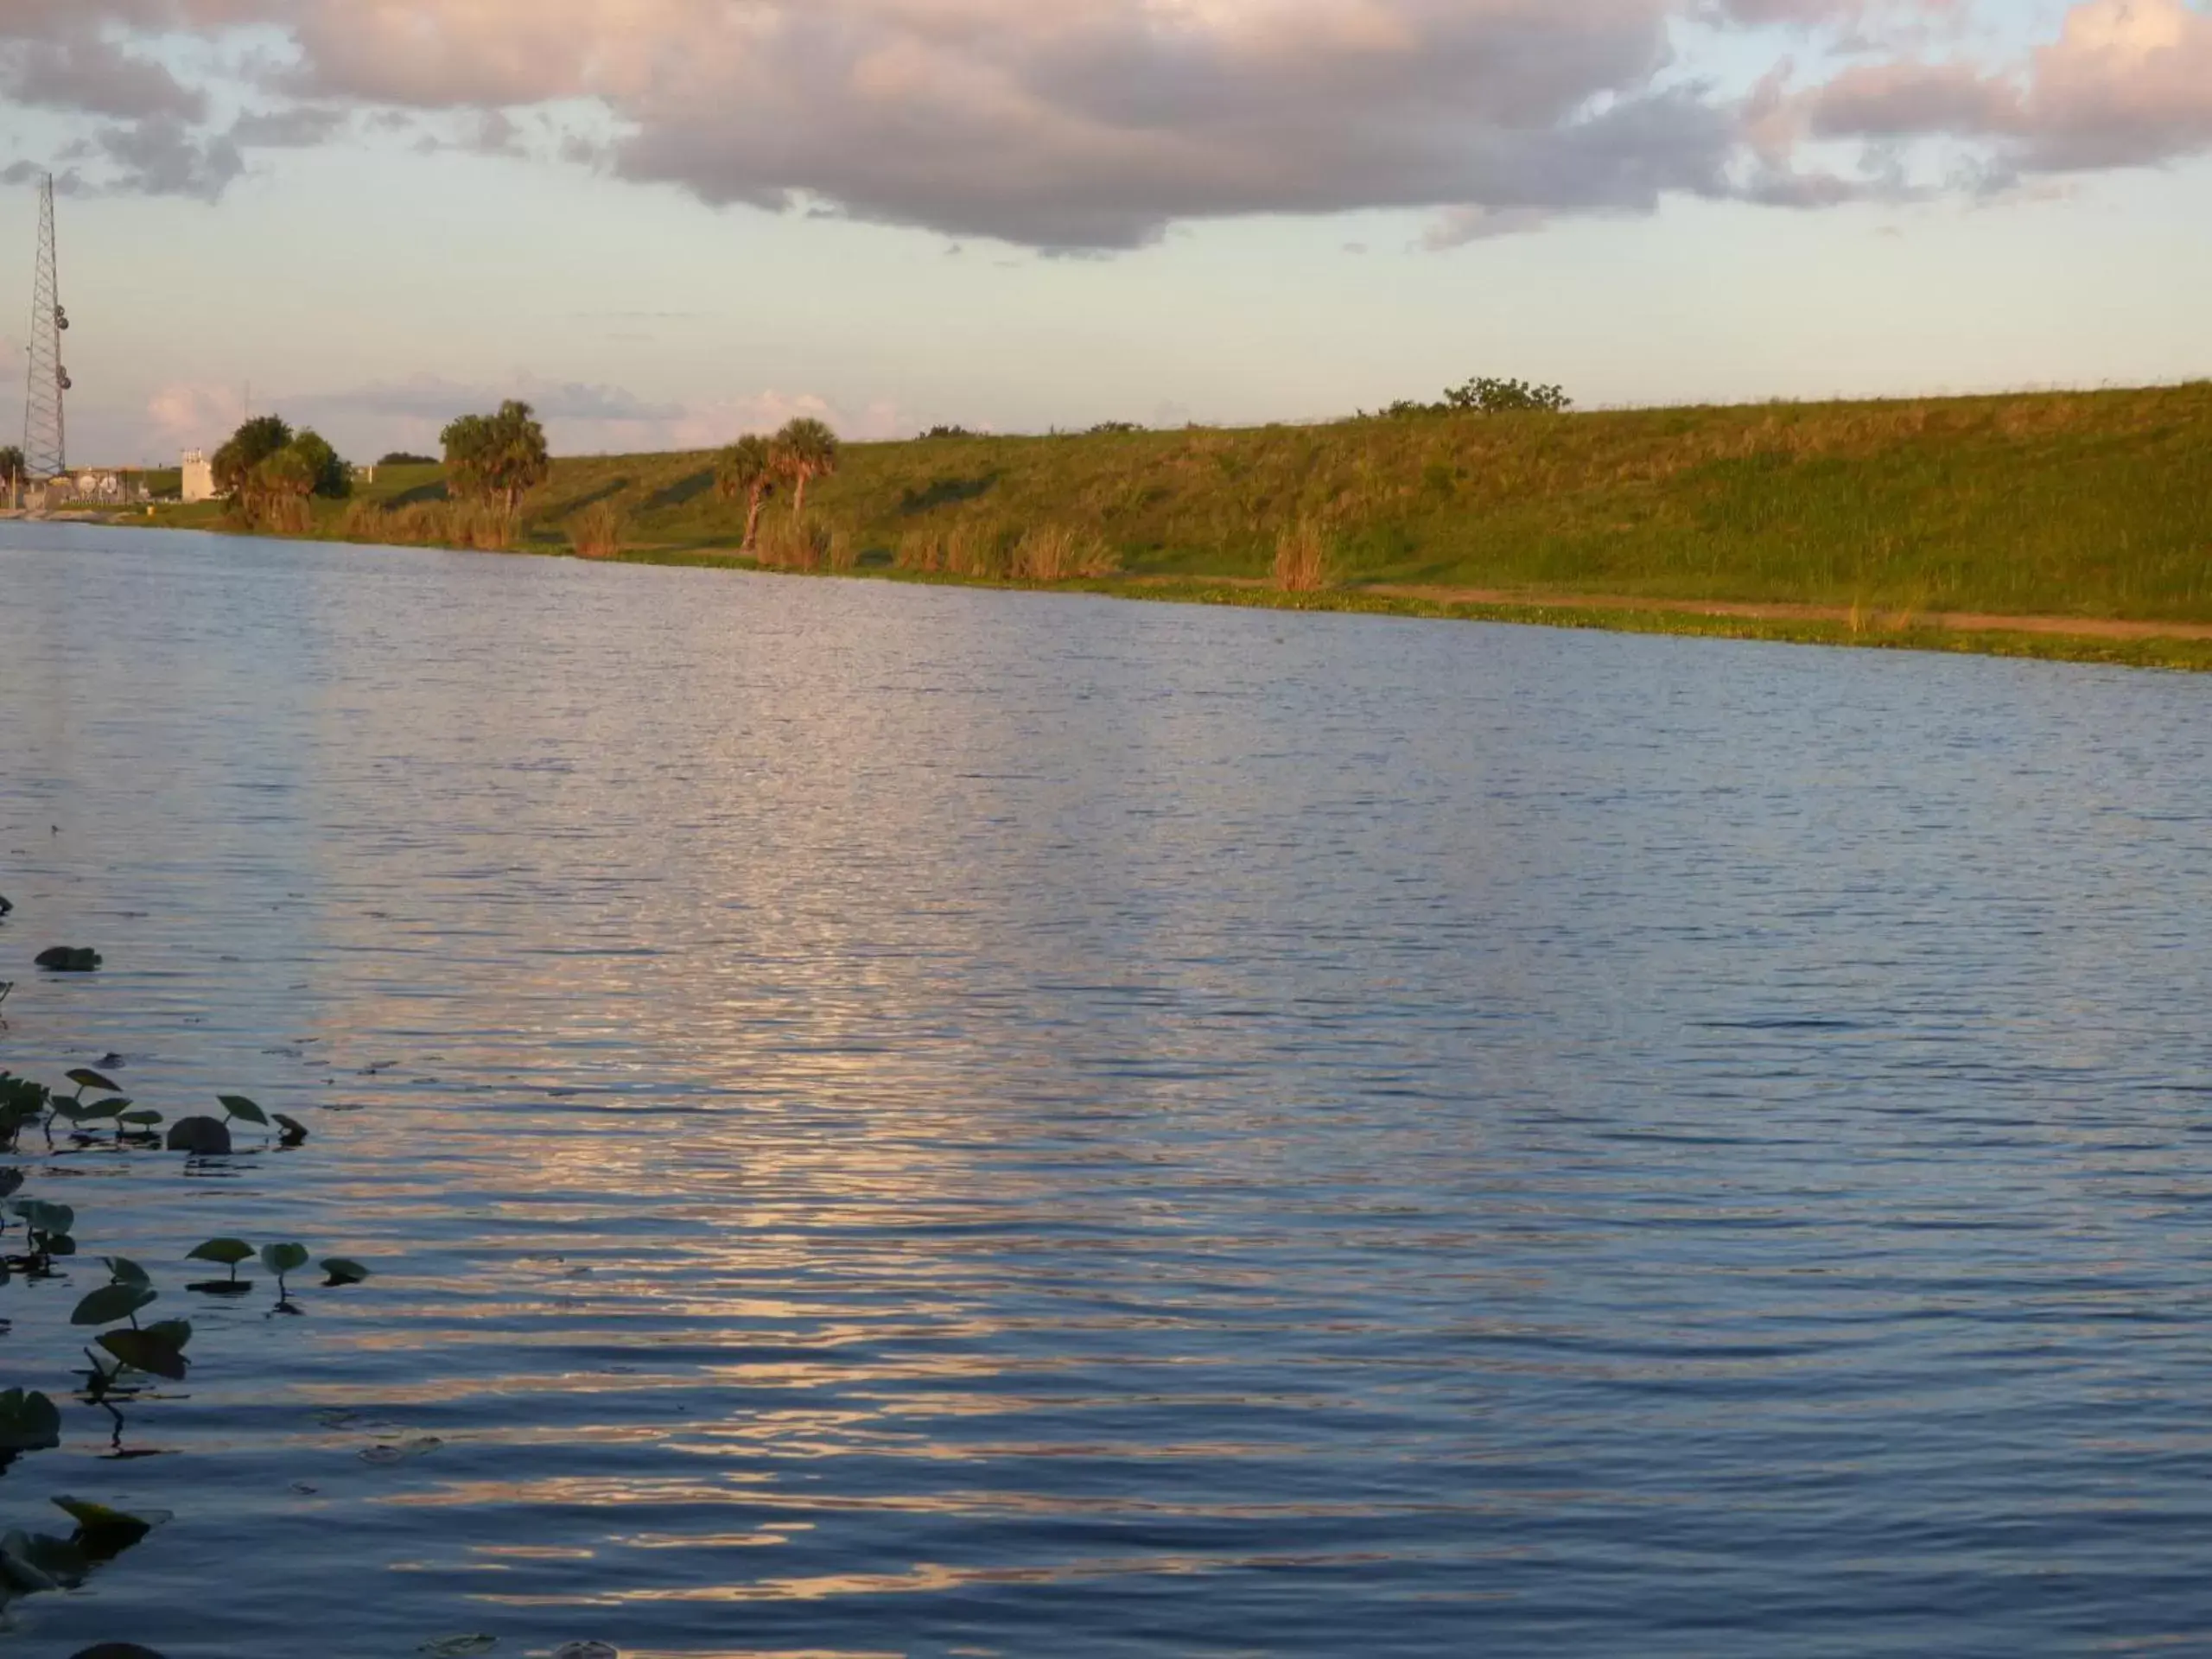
pixel 1081 125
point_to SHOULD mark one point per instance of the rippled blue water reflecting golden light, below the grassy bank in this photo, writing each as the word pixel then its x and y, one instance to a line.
pixel 935 1123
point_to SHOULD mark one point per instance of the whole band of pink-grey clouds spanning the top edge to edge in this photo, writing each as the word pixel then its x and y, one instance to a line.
pixel 1098 125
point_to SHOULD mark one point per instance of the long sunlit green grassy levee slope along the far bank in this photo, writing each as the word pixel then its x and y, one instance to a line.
pixel 2091 505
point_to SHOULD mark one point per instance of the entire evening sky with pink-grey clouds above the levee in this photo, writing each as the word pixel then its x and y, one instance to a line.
pixel 671 222
